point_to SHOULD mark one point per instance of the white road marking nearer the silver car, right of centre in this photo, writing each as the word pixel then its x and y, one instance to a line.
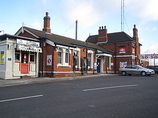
pixel 110 87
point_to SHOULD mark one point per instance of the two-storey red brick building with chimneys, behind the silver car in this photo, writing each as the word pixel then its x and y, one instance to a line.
pixel 126 48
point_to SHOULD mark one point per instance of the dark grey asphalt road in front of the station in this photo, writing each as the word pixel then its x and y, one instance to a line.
pixel 104 97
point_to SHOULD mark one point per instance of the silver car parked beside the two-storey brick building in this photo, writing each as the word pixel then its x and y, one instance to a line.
pixel 136 69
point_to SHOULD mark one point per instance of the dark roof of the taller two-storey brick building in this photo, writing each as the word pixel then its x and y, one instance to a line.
pixel 118 37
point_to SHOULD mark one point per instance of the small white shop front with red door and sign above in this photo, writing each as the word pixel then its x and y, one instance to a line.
pixel 21 57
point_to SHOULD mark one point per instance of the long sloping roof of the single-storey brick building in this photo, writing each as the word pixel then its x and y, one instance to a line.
pixel 65 41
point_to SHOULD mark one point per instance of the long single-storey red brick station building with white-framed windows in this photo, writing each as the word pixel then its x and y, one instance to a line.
pixel 62 56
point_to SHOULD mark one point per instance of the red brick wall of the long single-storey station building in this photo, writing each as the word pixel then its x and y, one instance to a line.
pixel 58 71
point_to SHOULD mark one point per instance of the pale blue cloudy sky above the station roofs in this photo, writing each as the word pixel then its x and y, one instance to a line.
pixel 91 14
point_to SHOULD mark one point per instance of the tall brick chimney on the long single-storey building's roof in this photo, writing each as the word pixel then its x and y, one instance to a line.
pixel 46 27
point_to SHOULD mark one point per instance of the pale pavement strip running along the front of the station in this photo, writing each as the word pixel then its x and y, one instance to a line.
pixel 13 82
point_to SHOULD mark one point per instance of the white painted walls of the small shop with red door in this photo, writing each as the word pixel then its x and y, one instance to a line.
pixel 11 69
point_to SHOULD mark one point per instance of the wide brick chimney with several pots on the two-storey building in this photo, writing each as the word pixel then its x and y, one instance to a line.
pixel 102 34
